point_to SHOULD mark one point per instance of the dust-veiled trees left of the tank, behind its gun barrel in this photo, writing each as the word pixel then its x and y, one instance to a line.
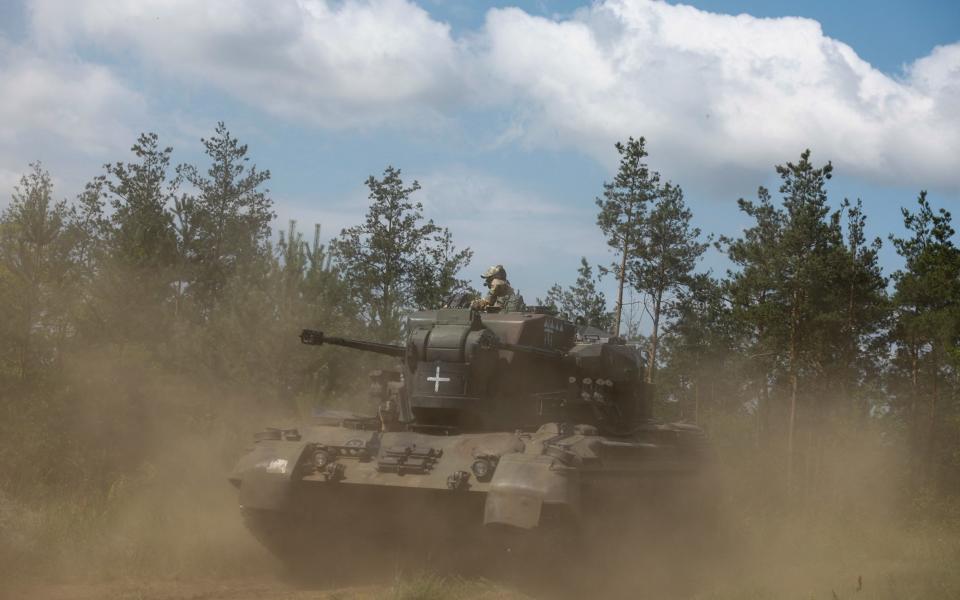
pixel 158 301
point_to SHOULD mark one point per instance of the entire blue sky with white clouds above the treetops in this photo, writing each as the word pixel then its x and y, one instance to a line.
pixel 505 112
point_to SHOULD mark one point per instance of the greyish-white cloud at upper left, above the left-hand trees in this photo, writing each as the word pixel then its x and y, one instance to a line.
pixel 337 64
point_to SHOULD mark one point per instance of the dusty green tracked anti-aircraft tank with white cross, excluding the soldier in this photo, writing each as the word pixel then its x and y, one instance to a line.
pixel 517 420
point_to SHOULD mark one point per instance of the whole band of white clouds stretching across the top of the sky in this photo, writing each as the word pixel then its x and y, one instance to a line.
pixel 720 98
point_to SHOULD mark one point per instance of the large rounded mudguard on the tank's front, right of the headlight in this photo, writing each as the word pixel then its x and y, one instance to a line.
pixel 523 483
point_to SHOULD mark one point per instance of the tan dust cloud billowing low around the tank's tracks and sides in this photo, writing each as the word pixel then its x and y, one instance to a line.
pixel 171 528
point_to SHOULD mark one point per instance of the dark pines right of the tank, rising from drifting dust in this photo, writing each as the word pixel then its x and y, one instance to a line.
pixel 805 347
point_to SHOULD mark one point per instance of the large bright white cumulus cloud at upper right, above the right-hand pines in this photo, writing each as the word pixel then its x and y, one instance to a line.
pixel 717 93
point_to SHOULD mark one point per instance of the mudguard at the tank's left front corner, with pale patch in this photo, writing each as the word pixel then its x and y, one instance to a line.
pixel 265 474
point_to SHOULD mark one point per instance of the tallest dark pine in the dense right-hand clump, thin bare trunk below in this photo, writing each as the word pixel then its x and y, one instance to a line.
pixel 786 286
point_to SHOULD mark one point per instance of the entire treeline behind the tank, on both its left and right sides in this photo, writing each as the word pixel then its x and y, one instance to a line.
pixel 159 298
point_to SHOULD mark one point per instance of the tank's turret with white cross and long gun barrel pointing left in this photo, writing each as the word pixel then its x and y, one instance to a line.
pixel 470 371
